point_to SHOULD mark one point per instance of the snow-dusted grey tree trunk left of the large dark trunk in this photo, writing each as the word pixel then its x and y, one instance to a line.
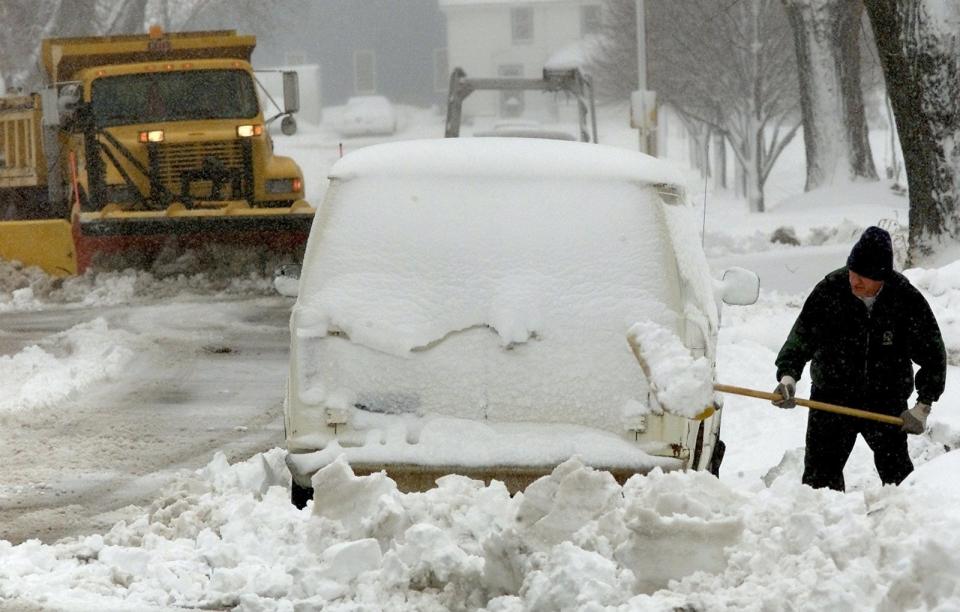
pixel 826 39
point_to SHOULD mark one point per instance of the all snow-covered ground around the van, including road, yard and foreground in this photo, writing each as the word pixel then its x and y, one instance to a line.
pixel 83 363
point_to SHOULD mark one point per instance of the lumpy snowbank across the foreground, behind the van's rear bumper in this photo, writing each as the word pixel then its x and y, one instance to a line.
pixel 227 536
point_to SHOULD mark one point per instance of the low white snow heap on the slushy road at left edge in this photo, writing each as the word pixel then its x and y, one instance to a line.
pixel 63 366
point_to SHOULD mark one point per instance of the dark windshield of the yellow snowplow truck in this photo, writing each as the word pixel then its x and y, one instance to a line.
pixel 174 96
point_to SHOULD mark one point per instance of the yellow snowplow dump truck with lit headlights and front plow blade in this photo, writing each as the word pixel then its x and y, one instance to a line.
pixel 141 142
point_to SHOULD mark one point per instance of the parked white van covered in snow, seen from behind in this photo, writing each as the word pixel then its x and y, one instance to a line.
pixel 464 305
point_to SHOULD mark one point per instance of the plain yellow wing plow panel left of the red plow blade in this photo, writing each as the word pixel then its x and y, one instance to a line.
pixel 46 243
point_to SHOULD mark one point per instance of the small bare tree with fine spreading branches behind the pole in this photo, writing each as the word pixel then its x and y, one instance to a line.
pixel 723 65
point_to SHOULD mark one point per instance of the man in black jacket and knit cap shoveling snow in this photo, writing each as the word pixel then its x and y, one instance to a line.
pixel 862 328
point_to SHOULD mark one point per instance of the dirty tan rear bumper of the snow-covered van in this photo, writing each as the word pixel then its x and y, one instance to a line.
pixel 413 477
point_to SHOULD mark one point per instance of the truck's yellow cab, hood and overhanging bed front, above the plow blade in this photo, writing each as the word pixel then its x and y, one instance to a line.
pixel 174 118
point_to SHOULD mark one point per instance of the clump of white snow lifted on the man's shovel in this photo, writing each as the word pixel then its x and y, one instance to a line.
pixel 683 385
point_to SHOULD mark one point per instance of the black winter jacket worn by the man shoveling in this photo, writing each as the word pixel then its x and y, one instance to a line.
pixel 865 357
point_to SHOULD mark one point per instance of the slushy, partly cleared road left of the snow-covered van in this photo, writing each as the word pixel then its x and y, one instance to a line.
pixel 103 406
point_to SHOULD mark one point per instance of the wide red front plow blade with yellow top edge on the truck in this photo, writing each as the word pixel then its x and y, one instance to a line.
pixel 136 237
